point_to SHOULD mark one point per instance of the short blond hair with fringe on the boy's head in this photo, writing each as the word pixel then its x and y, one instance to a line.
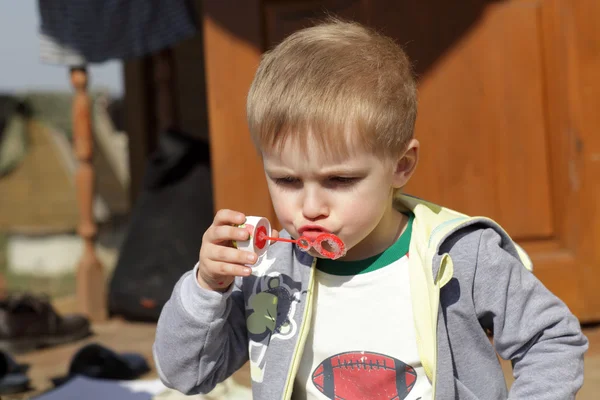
pixel 325 81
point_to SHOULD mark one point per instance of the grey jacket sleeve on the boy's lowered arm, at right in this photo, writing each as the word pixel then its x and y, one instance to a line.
pixel 531 326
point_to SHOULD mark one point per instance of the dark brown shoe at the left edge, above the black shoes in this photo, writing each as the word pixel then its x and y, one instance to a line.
pixel 29 322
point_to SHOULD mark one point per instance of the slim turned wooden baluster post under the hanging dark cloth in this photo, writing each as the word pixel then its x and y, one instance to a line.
pixel 91 286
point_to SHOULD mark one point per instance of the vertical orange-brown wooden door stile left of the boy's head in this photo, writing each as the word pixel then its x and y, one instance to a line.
pixel 233 44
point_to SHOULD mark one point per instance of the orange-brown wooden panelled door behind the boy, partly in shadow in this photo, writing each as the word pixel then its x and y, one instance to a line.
pixel 508 121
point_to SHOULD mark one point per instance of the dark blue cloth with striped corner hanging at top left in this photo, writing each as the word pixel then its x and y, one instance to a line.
pixel 76 33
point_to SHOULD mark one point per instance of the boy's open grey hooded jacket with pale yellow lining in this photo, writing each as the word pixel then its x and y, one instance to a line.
pixel 468 275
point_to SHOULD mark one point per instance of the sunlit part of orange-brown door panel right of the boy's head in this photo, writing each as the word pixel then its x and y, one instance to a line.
pixel 482 123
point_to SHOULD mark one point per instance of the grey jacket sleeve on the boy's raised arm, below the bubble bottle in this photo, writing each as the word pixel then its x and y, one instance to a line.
pixel 200 336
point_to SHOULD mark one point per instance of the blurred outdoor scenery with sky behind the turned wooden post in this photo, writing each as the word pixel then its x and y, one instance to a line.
pixel 38 209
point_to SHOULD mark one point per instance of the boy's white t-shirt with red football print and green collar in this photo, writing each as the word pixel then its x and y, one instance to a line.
pixel 362 342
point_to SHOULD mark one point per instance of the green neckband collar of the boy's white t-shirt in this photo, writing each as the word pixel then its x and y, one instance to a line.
pixel 373 263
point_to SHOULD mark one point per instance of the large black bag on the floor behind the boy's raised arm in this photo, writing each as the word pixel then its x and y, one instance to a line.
pixel 167 223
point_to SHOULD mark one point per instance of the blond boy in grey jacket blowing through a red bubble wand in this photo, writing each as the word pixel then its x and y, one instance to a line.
pixel 406 312
